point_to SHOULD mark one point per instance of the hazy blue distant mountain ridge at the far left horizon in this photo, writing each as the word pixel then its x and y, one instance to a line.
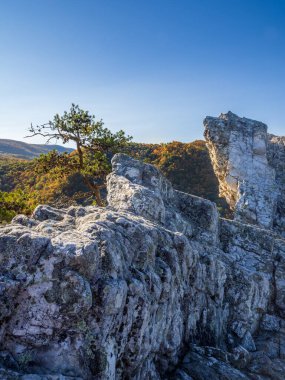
pixel 21 149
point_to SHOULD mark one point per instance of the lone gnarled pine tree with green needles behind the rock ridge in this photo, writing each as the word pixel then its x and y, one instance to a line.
pixel 94 145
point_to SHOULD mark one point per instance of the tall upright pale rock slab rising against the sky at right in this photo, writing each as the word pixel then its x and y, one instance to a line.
pixel 249 165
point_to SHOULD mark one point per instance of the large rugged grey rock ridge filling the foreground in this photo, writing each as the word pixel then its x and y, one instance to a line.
pixel 155 286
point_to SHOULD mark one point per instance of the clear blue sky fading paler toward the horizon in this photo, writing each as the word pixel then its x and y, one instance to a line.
pixel 154 68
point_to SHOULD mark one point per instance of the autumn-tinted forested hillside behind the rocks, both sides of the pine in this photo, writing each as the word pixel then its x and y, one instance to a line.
pixel 57 179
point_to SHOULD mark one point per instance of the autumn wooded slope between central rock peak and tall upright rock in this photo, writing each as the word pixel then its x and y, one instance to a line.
pixel 187 166
